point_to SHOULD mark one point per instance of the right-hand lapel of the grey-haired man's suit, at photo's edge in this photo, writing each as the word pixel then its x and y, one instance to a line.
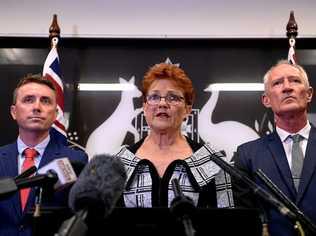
pixel 309 165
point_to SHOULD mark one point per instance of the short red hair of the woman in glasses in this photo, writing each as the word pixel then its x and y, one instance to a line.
pixel 169 72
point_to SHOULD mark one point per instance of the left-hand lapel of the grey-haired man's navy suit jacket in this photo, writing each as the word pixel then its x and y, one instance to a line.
pixel 279 157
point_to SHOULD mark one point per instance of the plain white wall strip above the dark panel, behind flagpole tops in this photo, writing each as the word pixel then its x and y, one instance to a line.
pixel 157 19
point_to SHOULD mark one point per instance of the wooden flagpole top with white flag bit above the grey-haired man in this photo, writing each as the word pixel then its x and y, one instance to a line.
pixel 291 33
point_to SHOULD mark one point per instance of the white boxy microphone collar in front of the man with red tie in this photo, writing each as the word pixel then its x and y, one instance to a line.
pixel 63 168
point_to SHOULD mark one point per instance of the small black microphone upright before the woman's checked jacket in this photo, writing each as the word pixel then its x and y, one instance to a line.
pixel 182 207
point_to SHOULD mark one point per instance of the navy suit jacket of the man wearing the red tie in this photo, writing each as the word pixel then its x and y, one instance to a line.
pixel 13 221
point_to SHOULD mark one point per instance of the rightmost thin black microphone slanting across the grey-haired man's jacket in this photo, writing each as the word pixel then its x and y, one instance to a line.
pixel 282 197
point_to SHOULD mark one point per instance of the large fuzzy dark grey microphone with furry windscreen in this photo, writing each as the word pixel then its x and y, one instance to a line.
pixel 96 192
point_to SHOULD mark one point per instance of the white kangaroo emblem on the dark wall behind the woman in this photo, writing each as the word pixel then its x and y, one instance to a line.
pixel 109 136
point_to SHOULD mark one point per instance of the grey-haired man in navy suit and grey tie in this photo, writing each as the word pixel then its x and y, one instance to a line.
pixel 288 94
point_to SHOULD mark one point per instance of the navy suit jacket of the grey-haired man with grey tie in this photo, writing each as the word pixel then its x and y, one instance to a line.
pixel 267 153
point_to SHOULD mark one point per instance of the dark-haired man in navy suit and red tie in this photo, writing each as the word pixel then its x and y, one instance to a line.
pixel 34 109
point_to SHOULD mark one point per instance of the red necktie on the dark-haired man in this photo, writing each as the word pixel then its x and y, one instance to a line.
pixel 29 154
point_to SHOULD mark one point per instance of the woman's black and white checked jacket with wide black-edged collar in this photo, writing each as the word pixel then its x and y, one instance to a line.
pixel 199 178
